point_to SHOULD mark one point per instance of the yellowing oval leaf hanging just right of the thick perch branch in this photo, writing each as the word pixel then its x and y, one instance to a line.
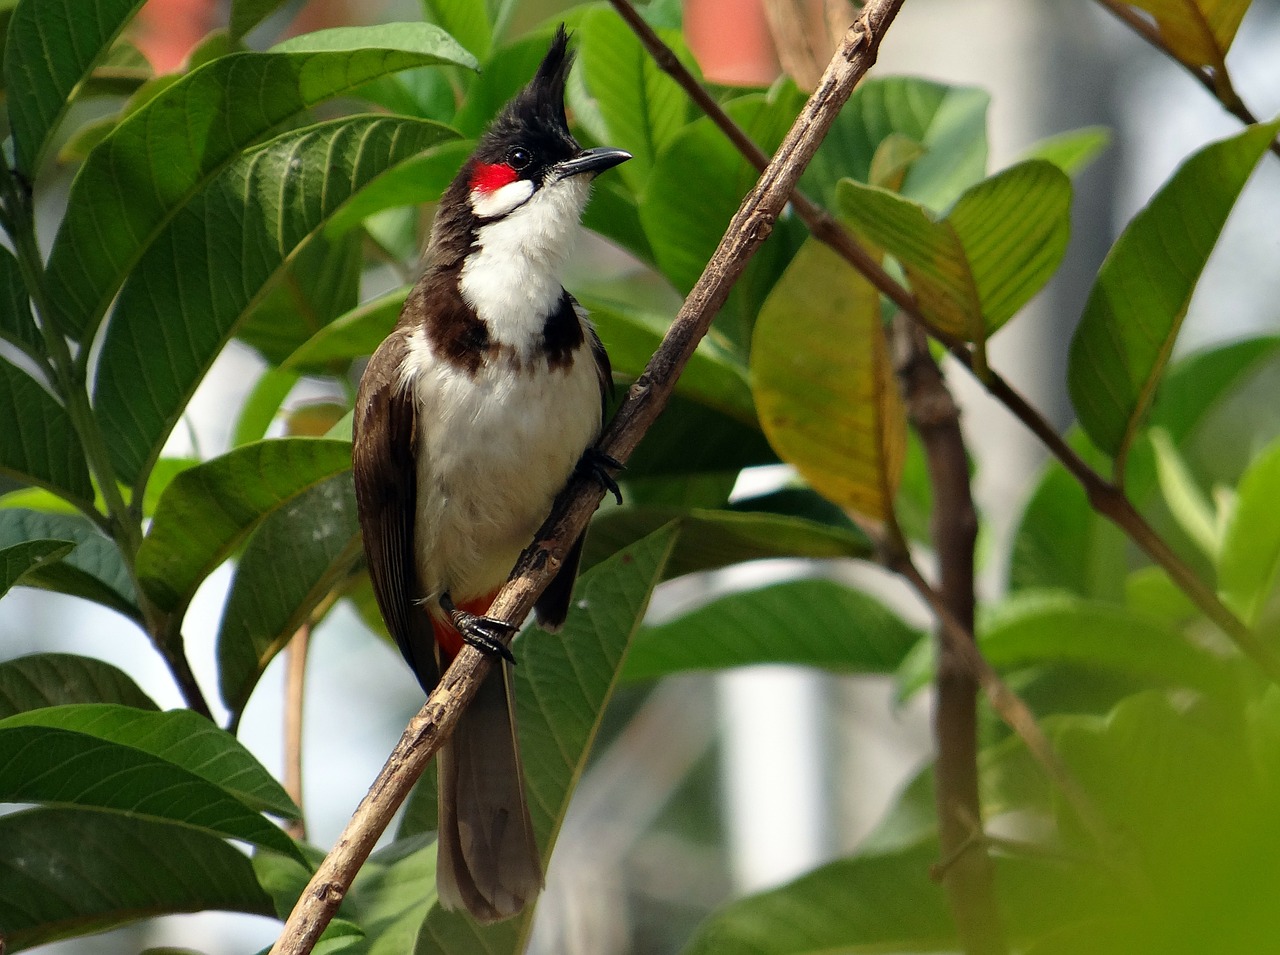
pixel 825 385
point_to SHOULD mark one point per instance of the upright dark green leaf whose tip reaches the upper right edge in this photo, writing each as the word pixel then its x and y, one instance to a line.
pixel 1142 293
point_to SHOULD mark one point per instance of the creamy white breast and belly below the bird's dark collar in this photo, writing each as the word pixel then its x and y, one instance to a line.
pixel 493 453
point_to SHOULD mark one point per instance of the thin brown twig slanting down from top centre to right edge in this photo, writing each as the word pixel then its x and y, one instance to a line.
pixel 1107 499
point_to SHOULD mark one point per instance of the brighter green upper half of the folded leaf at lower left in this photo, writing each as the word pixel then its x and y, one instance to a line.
pixel 181 738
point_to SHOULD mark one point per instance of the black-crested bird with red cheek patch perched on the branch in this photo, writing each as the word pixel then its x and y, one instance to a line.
pixel 470 418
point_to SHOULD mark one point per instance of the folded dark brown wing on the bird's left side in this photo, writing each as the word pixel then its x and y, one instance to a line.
pixel 385 470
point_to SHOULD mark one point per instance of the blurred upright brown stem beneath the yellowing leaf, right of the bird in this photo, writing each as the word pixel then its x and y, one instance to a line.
pixel 970 878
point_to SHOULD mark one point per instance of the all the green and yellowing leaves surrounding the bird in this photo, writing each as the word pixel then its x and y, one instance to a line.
pixel 300 161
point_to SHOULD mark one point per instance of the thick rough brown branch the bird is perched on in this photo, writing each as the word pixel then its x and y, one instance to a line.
pixel 646 400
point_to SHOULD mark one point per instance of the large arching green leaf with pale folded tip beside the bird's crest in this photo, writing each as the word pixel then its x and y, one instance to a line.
pixel 164 156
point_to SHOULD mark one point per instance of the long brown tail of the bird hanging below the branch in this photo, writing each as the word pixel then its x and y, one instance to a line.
pixel 487 857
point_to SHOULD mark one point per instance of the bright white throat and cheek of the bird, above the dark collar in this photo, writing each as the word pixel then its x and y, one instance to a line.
pixel 513 278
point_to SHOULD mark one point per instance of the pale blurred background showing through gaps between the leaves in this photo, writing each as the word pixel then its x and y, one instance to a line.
pixel 680 811
